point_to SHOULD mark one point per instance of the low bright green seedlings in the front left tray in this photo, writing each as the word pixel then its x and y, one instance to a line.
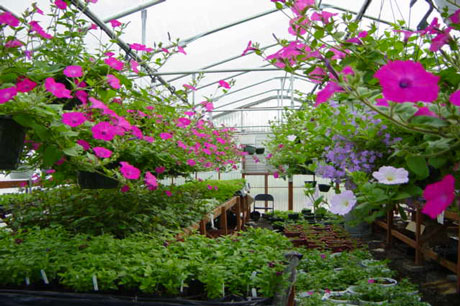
pixel 145 263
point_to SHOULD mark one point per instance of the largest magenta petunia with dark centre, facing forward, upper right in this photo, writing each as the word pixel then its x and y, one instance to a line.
pixel 407 81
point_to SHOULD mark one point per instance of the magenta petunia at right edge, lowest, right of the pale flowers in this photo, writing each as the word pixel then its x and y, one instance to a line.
pixel 439 196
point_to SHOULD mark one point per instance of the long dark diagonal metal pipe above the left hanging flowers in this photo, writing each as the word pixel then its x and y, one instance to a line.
pixel 149 70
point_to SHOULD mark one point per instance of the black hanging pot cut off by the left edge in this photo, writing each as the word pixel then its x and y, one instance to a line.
pixel 12 136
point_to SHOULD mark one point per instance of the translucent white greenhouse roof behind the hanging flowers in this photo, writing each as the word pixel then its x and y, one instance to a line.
pixel 214 35
